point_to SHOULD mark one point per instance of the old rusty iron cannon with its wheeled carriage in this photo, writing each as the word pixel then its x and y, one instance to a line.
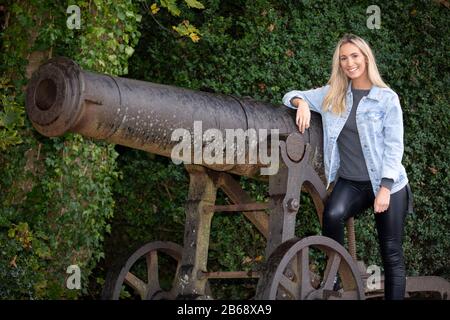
pixel 61 97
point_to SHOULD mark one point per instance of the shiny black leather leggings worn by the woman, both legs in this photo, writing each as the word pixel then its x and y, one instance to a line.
pixel 348 199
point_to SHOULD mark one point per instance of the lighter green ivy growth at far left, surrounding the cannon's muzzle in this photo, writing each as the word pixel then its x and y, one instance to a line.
pixel 55 194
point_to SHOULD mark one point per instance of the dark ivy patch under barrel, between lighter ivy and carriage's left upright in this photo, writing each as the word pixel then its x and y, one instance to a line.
pixel 149 200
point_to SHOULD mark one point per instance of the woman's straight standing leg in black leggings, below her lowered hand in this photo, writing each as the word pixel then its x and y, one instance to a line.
pixel 390 226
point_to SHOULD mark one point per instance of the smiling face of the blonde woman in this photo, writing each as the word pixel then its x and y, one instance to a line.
pixel 353 62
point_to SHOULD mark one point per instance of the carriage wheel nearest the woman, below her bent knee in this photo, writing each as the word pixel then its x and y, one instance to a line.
pixel 294 271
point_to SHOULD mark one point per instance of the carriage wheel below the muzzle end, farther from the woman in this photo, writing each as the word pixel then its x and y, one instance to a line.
pixel 145 262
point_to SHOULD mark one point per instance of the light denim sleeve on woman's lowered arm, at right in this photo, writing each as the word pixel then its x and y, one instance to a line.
pixel 393 141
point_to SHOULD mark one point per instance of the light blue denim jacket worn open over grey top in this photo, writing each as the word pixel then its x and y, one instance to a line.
pixel 379 121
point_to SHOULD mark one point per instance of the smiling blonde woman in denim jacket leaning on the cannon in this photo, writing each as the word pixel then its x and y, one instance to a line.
pixel 363 149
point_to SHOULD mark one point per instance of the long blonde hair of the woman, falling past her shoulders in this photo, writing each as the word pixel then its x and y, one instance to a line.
pixel 339 81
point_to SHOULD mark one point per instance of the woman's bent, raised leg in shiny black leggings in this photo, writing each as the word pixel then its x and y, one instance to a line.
pixel 347 199
